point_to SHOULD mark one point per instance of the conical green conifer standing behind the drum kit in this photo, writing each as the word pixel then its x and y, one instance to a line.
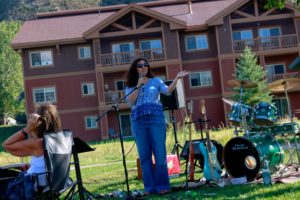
pixel 248 69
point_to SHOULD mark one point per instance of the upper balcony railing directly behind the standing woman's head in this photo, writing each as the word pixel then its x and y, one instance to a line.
pixel 122 58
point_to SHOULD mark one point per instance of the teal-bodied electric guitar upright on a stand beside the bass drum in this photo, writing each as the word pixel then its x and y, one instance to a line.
pixel 212 169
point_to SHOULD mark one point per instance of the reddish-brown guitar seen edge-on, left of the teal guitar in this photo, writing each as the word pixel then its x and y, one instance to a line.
pixel 191 164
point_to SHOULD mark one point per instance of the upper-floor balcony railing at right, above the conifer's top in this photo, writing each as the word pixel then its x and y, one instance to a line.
pixel 266 43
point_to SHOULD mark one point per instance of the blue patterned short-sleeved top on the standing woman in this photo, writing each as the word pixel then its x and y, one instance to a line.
pixel 148 101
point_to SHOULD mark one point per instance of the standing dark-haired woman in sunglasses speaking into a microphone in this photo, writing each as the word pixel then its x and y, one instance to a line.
pixel 148 123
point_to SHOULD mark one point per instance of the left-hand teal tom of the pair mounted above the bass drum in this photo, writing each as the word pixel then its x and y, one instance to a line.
pixel 235 115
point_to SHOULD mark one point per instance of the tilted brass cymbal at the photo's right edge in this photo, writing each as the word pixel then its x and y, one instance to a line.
pixel 282 85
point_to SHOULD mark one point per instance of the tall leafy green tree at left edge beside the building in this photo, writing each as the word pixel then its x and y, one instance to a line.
pixel 11 77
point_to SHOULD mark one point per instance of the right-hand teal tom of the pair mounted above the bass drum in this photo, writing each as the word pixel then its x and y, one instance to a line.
pixel 264 114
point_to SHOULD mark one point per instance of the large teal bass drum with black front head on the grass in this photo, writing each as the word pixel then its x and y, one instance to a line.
pixel 243 157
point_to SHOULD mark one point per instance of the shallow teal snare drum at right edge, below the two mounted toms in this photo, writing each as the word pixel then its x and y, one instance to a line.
pixel 286 128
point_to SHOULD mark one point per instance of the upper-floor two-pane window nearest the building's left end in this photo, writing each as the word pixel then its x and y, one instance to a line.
pixel 41 58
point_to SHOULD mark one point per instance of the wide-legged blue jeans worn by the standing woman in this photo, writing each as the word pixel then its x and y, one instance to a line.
pixel 150 136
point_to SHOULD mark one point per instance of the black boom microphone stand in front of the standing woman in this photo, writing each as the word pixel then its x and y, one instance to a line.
pixel 115 107
